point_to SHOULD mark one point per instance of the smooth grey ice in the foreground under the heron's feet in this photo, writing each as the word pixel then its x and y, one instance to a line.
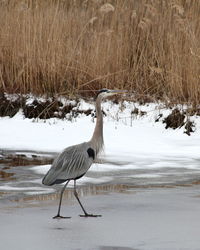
pixel 142 219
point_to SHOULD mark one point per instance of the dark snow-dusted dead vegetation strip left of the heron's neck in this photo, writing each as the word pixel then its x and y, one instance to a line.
pixel 42 108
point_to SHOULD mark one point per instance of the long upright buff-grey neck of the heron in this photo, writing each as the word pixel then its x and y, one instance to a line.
pixel 97 138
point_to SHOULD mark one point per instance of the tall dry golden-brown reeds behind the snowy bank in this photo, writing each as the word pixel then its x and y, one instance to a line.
pixel 150 47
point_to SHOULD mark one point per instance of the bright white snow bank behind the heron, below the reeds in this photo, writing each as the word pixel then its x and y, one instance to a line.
pixel 126 136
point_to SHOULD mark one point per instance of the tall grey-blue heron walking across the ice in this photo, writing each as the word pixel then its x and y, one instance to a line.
pixel 74 161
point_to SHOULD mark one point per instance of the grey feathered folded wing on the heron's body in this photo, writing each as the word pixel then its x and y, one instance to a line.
pixel 72 163
